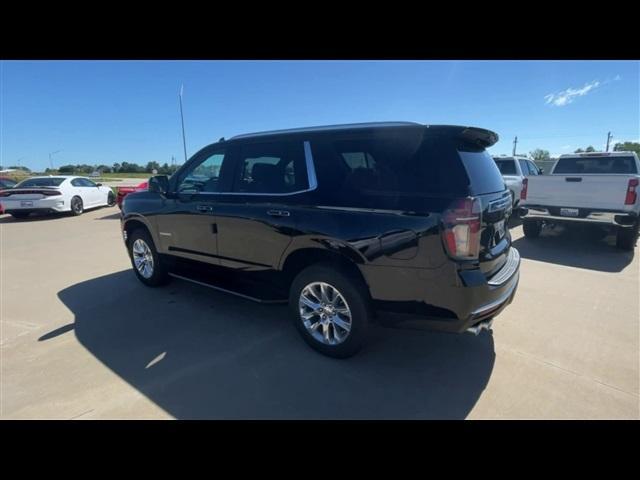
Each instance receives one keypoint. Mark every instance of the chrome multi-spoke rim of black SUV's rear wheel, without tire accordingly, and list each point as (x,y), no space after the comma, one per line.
(325,313)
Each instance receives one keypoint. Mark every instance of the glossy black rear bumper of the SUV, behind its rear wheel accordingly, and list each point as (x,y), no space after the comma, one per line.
(443,302)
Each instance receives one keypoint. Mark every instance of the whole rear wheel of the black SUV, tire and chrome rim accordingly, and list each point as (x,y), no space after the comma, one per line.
(330,310)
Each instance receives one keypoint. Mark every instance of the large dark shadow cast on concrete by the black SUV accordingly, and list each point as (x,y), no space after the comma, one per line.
(198,353)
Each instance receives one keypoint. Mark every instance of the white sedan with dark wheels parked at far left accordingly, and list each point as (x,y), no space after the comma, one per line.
(55,194)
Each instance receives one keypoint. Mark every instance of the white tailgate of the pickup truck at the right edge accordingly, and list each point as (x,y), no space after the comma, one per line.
(605,192)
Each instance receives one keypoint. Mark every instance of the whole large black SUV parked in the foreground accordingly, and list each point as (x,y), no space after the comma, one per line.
(396,220)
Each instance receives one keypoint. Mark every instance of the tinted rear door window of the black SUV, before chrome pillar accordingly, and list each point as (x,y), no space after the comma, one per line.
(277,167)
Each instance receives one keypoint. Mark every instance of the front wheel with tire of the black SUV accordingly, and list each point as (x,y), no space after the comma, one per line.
(146,262)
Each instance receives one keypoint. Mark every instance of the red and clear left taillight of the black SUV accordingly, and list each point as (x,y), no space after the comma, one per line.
(461,232)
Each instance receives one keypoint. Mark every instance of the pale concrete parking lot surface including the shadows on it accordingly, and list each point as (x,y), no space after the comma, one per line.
(82,338)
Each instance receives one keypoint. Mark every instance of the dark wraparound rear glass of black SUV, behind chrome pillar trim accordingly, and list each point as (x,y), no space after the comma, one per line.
(406,163)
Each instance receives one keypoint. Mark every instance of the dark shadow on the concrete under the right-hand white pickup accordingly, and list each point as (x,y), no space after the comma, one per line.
(575,247)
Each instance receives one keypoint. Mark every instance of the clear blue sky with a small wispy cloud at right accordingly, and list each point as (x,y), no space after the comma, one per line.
(102,112)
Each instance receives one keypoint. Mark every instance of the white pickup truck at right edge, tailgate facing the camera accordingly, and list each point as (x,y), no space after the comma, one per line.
(596,188)
